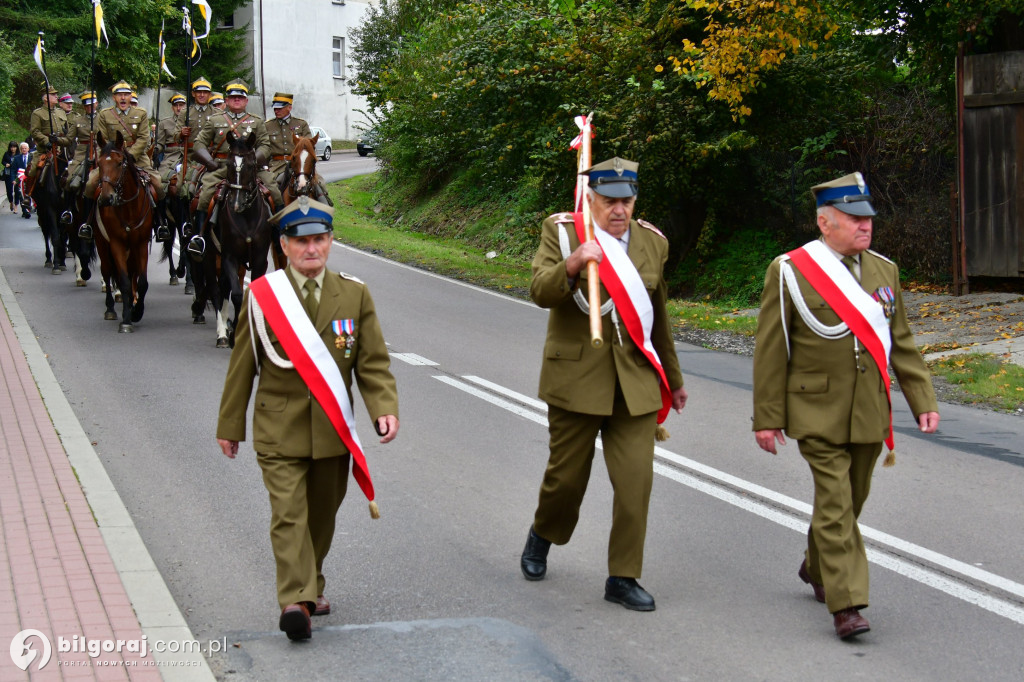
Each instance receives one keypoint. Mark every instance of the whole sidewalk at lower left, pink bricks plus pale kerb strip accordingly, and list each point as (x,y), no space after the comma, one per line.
(72,565)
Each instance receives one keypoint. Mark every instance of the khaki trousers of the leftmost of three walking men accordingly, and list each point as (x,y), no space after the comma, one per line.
(306,496)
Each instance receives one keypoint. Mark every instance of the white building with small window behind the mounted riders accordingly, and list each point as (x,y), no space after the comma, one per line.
(302,48)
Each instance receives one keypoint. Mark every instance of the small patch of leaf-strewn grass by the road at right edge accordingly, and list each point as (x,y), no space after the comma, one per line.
(985,379)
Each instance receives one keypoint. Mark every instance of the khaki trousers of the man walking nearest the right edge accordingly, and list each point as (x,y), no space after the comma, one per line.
(836,557)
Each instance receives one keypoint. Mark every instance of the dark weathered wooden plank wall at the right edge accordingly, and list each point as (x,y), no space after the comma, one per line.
(994,164)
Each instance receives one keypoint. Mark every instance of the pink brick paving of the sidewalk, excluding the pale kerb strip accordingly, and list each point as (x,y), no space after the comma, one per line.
(56,573)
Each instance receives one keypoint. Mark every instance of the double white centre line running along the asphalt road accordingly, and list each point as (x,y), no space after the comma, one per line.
(924,576)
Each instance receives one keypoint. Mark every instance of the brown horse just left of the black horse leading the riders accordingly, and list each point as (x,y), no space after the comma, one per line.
(124,222)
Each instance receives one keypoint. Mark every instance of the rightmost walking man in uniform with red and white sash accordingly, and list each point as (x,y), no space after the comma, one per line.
(832,324)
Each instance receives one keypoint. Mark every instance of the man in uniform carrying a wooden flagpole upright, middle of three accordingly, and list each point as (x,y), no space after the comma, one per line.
(616,390)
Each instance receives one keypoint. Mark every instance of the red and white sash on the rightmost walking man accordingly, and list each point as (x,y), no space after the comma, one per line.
(843,293)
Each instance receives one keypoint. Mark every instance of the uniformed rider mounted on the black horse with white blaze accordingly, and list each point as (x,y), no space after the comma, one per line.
(212,147)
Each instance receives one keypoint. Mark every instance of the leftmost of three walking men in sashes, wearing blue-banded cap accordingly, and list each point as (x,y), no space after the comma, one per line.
(304,458)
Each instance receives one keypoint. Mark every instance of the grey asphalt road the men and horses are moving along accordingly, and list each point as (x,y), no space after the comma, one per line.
(433,590)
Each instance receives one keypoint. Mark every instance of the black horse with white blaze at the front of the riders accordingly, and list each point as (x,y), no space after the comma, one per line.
(241,238)
